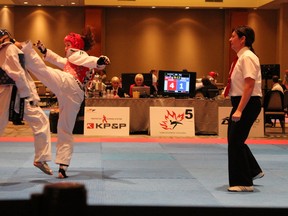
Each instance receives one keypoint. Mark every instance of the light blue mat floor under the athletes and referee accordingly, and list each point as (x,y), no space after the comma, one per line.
(149,174)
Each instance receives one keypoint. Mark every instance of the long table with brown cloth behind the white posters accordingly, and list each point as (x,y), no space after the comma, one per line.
(205,110)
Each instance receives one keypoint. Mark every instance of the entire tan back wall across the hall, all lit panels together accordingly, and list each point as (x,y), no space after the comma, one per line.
(137,40)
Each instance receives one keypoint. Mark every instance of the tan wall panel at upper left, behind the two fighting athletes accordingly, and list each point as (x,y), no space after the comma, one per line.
(49,24)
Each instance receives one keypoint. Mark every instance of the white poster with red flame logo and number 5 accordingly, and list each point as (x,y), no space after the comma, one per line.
(172,121)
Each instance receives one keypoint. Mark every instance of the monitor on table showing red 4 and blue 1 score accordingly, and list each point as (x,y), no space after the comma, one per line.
(178,84)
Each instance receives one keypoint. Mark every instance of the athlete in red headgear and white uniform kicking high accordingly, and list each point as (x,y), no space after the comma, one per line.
(67,84)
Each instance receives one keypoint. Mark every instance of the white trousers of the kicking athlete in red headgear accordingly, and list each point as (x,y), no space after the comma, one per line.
(69,96)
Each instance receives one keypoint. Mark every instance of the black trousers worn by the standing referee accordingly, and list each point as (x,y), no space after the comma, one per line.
(242,165)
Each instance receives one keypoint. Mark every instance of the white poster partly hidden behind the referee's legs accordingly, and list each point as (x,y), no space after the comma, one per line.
(257,129)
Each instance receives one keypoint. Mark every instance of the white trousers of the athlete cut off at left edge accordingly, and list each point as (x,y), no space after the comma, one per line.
(35,118)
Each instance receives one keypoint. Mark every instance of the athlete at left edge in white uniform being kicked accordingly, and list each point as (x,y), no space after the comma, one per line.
(33,114)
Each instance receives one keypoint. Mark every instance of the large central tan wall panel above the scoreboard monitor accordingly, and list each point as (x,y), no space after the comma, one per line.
(139,40)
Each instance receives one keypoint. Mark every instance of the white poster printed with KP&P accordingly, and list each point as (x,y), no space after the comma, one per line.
(107,121)
